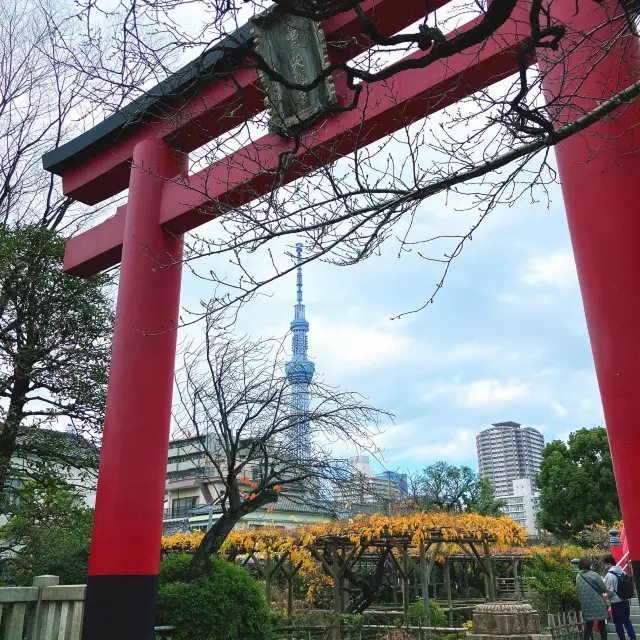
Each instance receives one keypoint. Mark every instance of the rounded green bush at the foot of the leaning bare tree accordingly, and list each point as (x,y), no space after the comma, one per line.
(225,603)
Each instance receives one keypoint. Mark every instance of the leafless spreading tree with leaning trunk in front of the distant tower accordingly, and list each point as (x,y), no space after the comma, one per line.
(235,396)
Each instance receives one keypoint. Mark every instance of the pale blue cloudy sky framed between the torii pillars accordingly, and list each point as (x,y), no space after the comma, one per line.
(505,339)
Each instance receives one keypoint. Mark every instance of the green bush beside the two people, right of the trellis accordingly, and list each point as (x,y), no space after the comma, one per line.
(554,581)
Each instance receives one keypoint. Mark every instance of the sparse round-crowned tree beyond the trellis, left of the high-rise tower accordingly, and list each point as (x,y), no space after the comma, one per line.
(446,487)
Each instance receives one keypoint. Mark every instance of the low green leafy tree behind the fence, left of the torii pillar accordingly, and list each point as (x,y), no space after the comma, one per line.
(49,533)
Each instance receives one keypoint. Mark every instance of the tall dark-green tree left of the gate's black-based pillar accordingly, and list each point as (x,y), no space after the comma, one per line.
(55,341)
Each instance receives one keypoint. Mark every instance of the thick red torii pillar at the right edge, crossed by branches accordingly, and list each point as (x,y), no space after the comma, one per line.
(599,170)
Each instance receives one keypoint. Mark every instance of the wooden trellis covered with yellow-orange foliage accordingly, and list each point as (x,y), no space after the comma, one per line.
(359,555)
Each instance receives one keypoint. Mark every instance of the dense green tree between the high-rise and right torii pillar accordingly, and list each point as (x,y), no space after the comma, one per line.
(577,485)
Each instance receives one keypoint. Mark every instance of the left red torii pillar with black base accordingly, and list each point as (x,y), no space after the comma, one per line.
(124,561)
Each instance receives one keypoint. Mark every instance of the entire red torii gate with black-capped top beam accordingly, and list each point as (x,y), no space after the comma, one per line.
(145,153)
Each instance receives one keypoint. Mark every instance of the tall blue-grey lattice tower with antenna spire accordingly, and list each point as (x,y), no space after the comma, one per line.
(300,369)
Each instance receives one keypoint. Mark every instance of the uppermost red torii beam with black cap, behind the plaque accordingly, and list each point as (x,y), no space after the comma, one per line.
(200,102)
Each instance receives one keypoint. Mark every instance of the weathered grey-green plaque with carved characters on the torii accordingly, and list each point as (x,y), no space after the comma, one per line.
(294,48)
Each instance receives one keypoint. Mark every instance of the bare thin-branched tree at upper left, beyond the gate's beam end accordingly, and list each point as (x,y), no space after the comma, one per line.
(43,104)
